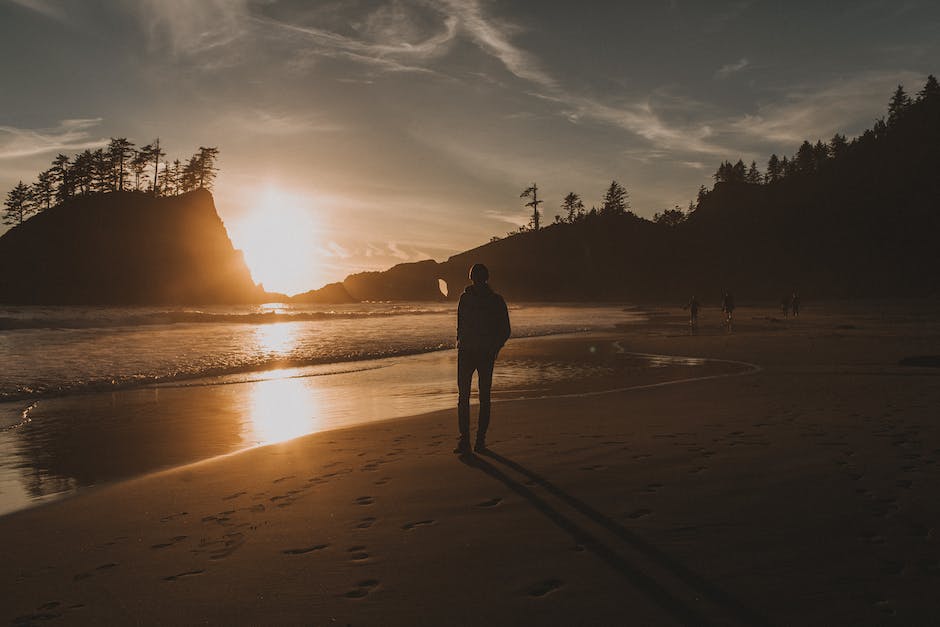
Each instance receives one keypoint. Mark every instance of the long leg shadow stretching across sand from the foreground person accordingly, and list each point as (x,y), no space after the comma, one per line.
(680,609)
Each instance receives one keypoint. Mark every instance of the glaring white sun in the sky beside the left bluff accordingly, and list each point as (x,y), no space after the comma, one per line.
(280,239)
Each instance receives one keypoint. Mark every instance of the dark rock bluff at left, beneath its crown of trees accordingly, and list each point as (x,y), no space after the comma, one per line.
(125,248)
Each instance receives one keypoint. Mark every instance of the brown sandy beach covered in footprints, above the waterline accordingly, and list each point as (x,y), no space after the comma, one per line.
(802,493)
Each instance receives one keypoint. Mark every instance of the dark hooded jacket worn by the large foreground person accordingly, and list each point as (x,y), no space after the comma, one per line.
(482,320)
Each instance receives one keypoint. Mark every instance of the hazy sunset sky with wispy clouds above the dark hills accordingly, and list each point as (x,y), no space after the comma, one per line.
(357,134)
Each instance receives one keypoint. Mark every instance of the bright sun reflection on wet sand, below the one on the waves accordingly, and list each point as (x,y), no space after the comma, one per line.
(281,409)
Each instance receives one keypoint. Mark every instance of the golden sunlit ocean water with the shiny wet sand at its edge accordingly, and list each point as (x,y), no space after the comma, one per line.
(91,395)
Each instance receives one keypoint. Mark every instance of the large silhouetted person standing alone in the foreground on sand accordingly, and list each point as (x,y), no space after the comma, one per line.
(482,329)
